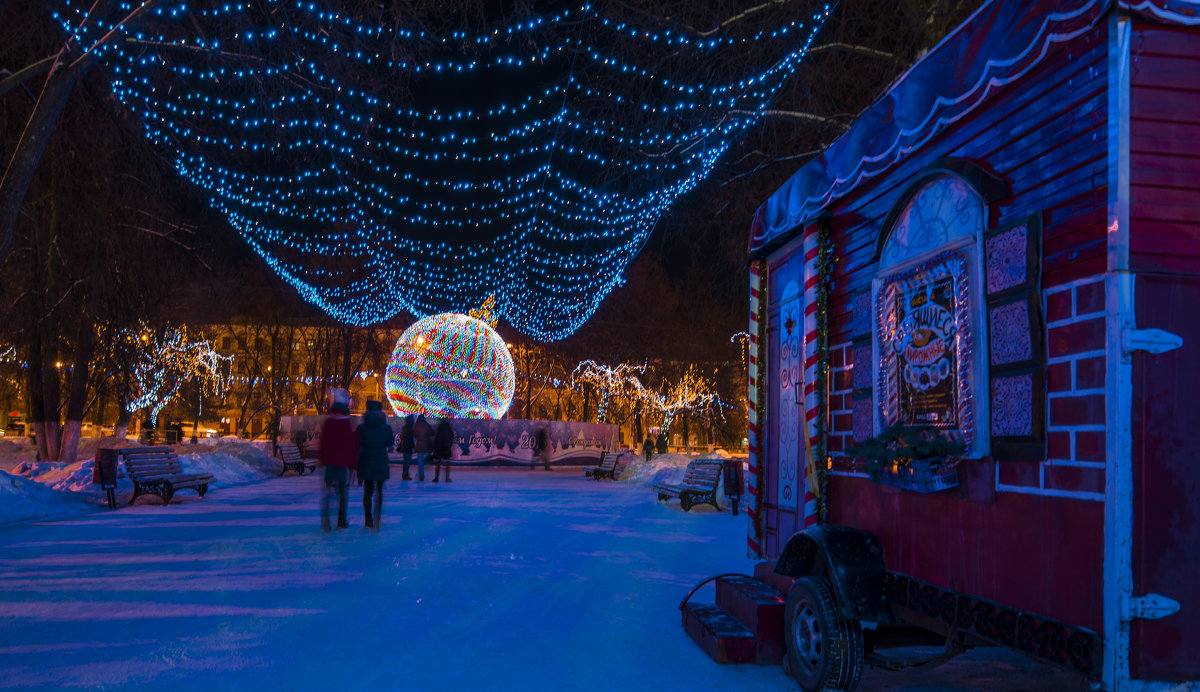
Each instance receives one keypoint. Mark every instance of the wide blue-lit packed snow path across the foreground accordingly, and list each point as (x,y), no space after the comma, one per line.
(503,580)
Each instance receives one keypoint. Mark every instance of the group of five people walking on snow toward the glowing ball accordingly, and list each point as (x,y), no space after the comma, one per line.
(365,450)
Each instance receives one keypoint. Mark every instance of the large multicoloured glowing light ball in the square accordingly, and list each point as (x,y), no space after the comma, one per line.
(454,365)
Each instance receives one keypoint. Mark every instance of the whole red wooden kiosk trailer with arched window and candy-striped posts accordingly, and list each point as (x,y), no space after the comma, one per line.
(1005,249)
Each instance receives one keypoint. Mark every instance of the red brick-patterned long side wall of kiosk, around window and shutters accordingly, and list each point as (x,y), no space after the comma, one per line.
(1029,535)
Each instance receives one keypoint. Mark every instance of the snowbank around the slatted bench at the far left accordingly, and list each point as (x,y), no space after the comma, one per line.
(33,490)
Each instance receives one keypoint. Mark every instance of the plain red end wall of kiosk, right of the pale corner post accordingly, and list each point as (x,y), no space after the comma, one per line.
(1165,171)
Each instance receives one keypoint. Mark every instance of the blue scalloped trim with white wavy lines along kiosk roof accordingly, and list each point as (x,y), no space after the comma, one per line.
(941,89)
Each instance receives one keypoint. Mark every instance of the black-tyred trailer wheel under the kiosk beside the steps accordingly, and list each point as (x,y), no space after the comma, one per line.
(825,652)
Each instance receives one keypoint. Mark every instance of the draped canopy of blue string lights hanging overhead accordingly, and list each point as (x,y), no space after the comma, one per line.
(380,169)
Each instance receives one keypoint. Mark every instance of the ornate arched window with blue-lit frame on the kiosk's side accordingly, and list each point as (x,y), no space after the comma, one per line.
(929,329)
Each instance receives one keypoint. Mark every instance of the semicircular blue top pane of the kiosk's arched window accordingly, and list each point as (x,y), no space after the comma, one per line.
(943,212)
